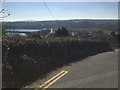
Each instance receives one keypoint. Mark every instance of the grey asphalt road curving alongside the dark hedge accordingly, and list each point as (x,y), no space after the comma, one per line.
(98,71)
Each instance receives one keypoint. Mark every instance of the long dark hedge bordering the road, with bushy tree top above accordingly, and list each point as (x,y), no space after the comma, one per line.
(25,59)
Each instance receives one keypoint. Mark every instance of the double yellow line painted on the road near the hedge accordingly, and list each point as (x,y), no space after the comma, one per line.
(52,80)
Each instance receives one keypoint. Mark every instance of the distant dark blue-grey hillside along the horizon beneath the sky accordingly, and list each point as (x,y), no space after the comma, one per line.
(76,24)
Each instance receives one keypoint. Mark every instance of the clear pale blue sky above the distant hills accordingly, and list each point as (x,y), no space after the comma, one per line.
(60,10)
